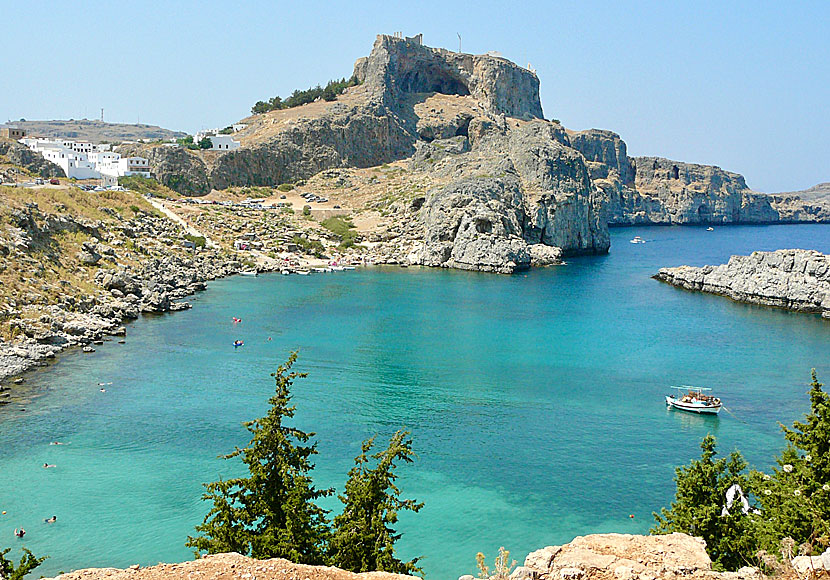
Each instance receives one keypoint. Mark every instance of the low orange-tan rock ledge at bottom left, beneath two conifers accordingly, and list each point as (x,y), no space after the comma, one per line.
(229,566)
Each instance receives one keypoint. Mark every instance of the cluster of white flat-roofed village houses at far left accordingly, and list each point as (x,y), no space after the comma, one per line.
(83,160)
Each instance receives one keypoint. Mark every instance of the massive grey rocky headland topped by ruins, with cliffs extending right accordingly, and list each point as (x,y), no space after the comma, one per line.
(493,185)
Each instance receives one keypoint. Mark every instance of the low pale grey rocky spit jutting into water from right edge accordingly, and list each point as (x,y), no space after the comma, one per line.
(797,280)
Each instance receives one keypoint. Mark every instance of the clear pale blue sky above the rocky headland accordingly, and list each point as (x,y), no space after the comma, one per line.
(741,85)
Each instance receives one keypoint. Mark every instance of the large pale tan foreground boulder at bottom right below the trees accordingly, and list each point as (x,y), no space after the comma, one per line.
(626,557)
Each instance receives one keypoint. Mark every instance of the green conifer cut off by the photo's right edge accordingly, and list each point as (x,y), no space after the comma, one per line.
(795,497)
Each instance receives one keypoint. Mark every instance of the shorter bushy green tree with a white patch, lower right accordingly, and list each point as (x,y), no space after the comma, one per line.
(699,503)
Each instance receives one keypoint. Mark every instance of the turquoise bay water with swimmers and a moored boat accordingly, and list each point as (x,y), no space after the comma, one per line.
(535,400)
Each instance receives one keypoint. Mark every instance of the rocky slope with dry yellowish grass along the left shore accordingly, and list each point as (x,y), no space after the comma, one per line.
(47,318)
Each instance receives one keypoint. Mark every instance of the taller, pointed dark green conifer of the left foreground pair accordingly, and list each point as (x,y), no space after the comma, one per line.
(271,513)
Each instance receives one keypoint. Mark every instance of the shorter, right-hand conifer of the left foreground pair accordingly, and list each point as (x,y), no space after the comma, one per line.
(363,539)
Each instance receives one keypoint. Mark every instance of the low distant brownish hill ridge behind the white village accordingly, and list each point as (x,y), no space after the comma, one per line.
(97,131)
